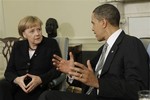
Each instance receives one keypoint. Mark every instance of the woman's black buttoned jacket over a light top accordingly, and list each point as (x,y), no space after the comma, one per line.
(40,64)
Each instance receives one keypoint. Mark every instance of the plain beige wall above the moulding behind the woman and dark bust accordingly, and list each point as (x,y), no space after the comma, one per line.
(73,16)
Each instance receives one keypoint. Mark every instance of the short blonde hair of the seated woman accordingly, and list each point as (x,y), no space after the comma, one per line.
(28,22)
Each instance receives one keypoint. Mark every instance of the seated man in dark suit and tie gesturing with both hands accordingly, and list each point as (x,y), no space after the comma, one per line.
(125,68)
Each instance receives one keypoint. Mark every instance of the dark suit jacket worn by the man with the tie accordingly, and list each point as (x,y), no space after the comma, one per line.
(125,71)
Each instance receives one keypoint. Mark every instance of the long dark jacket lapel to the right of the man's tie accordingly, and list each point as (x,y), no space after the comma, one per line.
(112,53)
